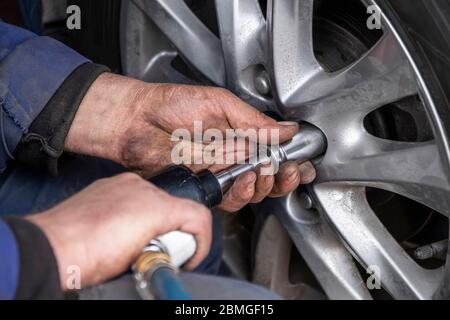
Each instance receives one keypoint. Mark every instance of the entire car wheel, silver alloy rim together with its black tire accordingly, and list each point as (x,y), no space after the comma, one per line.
(377,215)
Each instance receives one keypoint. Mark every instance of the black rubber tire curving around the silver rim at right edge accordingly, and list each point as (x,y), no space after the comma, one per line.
(428,40)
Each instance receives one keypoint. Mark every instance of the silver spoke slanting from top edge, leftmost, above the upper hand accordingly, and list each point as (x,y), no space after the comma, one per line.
(195,42)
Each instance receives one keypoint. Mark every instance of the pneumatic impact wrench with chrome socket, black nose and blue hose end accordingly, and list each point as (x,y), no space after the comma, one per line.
(172,250)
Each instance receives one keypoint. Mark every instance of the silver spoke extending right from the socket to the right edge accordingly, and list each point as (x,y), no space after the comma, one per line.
(410,169)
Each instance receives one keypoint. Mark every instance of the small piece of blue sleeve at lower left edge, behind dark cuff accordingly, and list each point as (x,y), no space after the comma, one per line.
(9,265)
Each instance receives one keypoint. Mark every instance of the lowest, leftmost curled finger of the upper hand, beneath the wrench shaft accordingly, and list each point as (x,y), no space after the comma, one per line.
(240,193)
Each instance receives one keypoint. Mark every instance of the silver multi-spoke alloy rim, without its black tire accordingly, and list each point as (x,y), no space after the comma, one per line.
(255,55)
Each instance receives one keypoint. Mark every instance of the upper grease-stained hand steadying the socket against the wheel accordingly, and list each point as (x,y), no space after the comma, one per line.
(131,122)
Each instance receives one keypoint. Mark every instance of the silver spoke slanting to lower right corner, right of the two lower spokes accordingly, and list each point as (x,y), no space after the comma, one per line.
(347,209)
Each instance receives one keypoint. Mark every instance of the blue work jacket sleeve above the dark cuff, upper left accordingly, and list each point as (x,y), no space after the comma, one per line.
(32,68)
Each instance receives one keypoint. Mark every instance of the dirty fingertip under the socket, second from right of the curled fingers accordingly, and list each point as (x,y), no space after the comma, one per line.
(287,179)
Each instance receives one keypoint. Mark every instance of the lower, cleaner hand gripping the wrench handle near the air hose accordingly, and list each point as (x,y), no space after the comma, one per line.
(103,228)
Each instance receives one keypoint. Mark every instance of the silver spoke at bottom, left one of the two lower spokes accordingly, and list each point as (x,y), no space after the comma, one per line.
(318,243)
